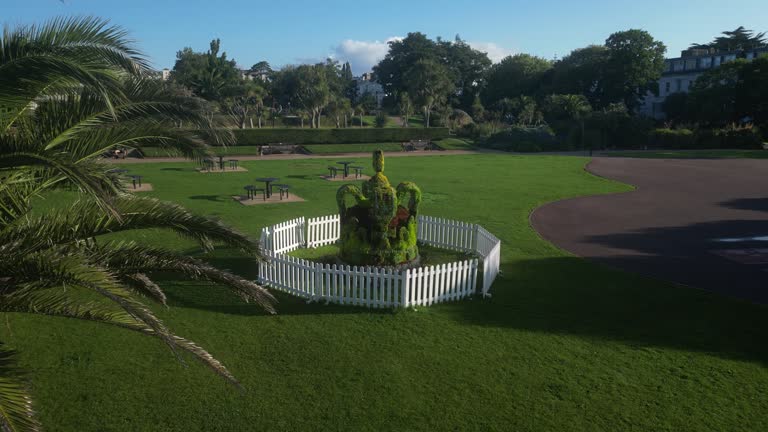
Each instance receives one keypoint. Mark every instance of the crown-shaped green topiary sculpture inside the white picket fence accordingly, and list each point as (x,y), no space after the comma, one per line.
(379,227)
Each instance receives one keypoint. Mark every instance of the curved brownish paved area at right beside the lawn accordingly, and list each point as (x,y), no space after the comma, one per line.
(702,223)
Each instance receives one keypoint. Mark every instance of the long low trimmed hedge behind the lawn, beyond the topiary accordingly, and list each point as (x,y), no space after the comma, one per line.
(336,136)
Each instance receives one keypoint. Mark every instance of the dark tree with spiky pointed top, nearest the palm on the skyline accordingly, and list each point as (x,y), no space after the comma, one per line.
(206,74)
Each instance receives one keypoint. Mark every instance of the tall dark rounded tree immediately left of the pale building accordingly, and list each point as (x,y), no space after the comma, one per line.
(634,66)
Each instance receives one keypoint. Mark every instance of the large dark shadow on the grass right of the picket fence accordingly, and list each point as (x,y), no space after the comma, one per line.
(572,296)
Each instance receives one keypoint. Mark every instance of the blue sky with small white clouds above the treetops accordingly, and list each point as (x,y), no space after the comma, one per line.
(295,31)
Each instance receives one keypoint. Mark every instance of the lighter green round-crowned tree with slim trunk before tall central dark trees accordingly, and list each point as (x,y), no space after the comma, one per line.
(429,84)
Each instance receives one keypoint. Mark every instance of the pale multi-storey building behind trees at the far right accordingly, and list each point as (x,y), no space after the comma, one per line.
(681,72)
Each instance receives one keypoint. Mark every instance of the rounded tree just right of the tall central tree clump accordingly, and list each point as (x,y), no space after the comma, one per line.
(515,76)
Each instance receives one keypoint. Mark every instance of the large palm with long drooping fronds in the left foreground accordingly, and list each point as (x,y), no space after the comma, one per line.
(71,90)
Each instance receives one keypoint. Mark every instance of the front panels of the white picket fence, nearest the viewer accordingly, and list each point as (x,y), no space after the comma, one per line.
(369,286)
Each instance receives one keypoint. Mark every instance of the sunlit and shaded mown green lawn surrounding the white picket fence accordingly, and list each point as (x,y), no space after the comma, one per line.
(563,344)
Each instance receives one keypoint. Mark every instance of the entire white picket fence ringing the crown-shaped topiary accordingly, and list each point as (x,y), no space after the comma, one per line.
(373,286)
